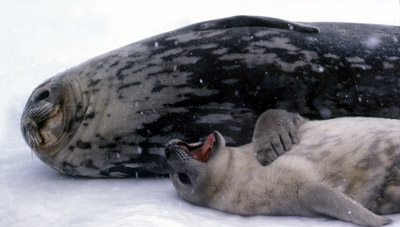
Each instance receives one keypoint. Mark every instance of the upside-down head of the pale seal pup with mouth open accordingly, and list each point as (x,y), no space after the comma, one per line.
(190,170)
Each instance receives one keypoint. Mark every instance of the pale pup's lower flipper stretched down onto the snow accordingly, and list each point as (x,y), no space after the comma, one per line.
(320,200)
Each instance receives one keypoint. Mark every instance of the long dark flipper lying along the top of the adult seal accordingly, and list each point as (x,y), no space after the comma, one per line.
(252,21)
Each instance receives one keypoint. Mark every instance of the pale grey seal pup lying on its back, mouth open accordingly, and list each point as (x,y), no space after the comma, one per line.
(344,168)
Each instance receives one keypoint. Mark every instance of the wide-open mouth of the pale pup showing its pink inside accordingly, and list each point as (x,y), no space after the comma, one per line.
(201,151)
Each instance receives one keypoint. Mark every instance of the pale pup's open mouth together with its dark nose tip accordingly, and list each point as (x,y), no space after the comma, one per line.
(202,151)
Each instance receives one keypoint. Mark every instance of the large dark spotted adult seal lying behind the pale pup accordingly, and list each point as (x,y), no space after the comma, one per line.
(112,115)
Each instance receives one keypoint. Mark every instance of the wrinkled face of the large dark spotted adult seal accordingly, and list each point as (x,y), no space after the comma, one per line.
(52,115)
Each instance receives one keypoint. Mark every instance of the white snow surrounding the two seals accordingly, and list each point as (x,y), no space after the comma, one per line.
(41,38)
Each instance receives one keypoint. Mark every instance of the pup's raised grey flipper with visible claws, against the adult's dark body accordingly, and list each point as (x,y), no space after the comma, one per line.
(275,133)
